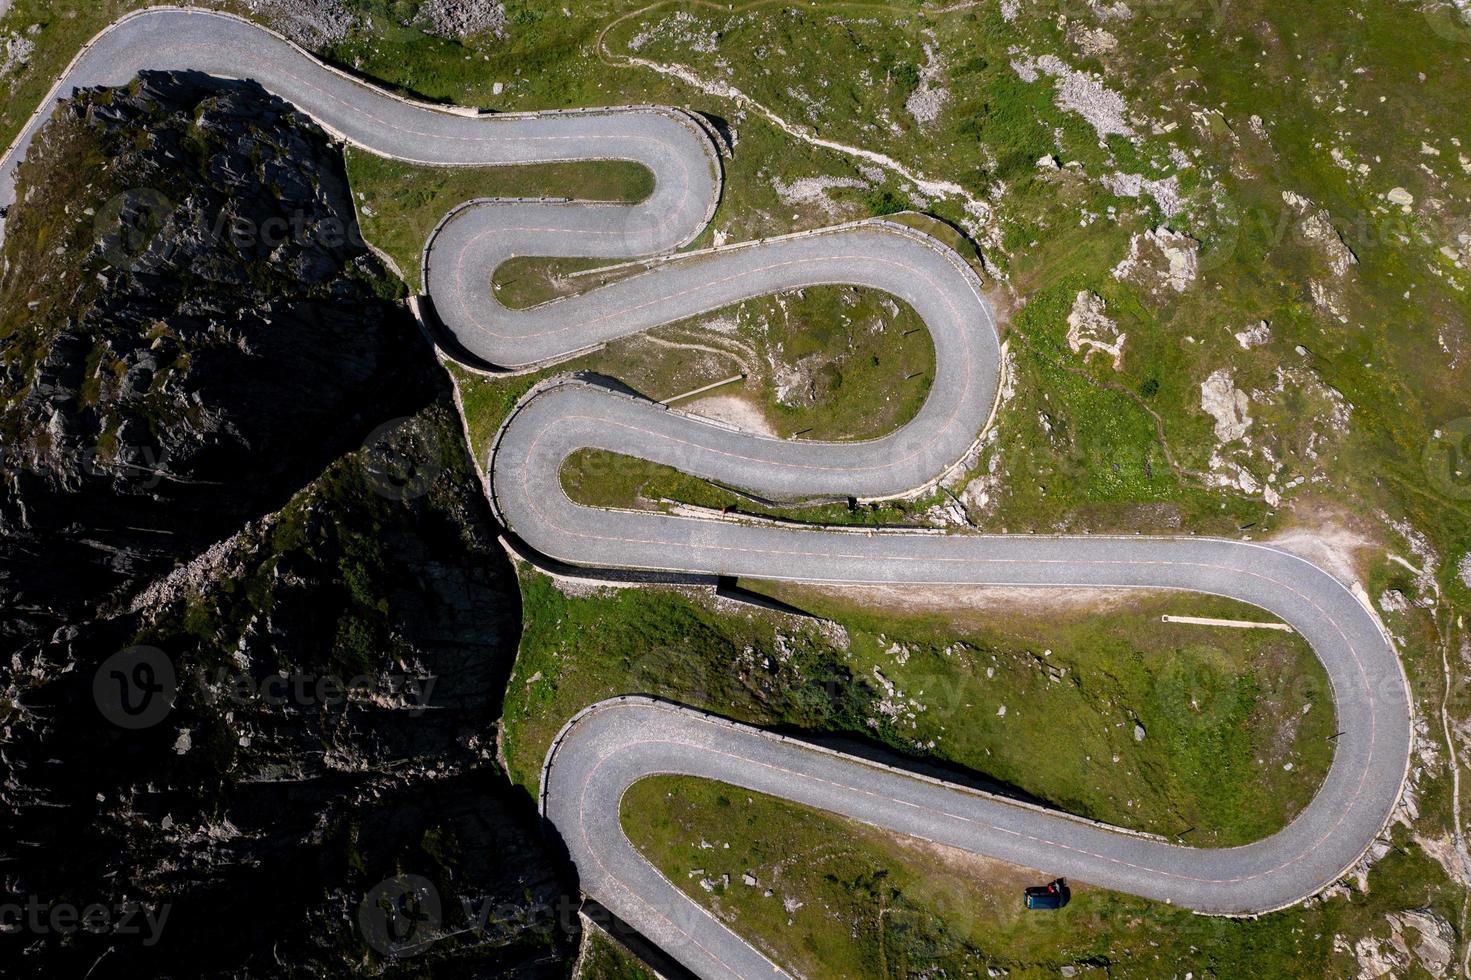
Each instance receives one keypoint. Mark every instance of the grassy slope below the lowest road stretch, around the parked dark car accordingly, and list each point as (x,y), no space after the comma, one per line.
(883,906)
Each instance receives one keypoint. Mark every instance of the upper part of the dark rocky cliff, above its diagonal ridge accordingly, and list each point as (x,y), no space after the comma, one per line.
(190,333)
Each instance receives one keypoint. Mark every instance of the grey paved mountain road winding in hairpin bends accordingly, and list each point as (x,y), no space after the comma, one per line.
(616,744)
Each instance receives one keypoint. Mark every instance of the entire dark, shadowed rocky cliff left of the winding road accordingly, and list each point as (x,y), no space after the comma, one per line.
(255,619)
